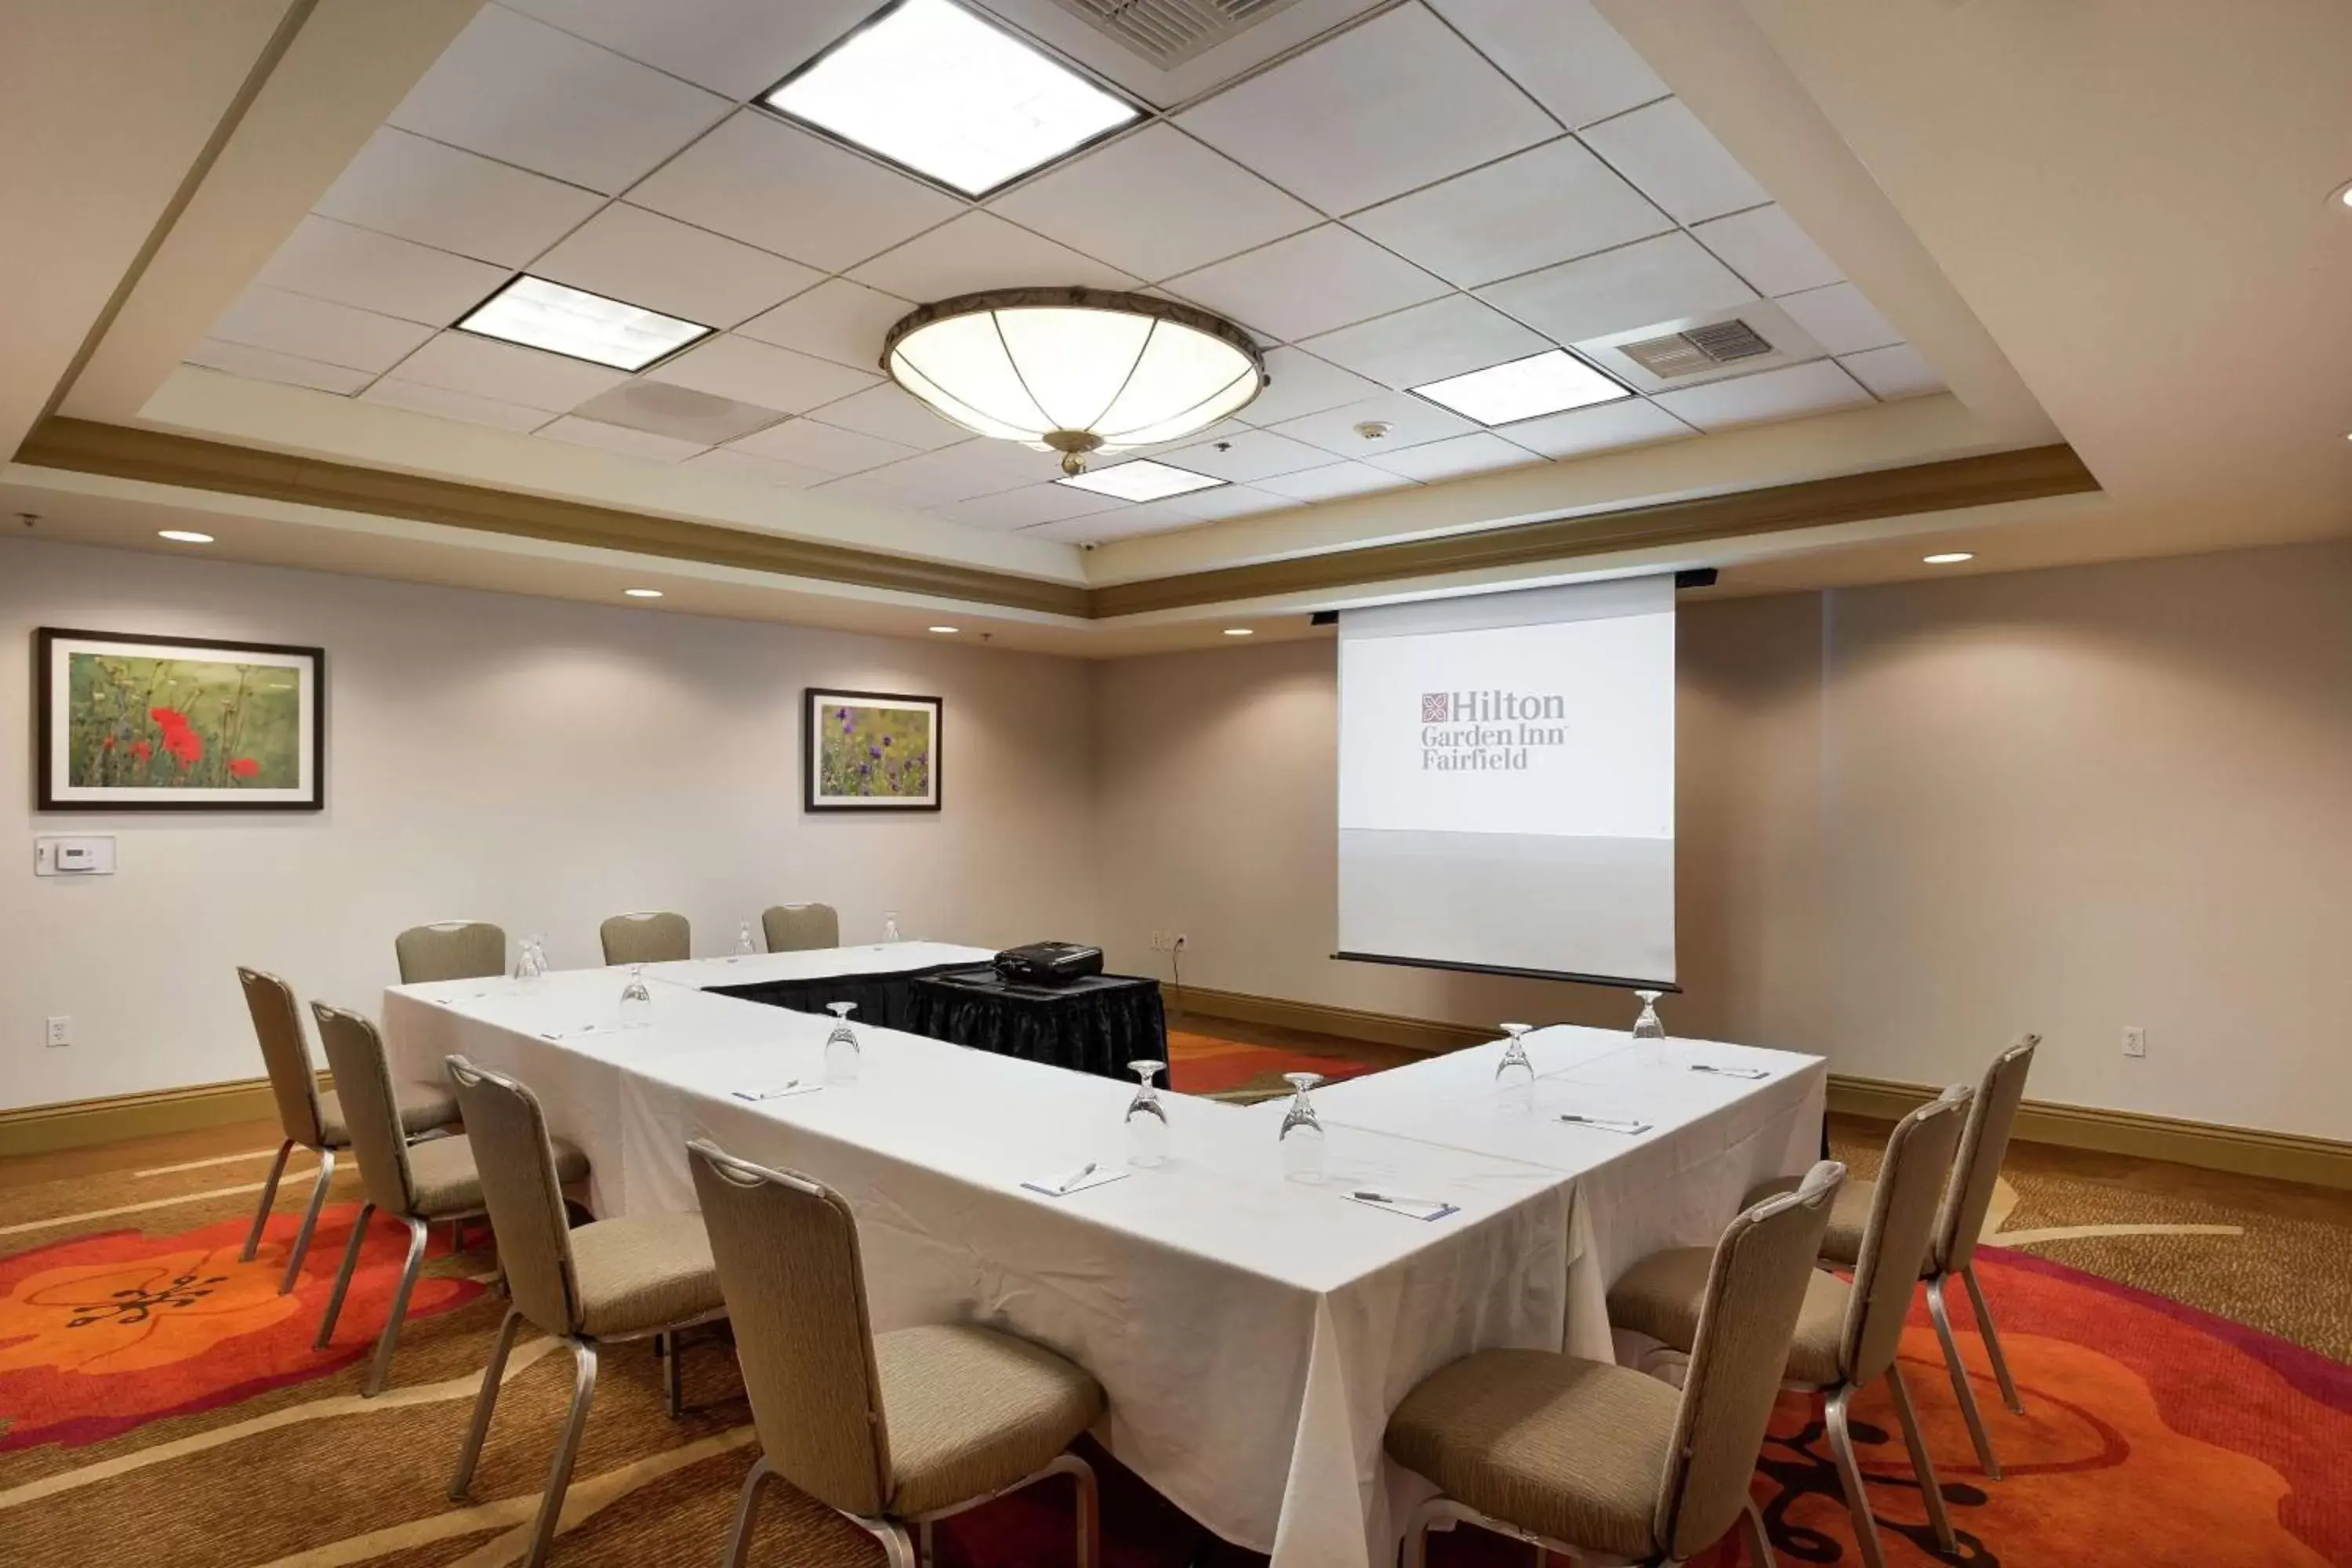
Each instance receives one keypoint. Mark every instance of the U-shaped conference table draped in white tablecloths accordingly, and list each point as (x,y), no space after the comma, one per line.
(1252,1329)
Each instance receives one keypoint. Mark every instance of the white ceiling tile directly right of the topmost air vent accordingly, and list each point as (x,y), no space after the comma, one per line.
(1370,114)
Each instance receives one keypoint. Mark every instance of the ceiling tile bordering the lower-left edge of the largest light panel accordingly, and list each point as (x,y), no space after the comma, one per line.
(787,192)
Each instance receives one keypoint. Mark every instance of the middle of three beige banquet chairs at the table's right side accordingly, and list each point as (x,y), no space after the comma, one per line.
(1847,1334)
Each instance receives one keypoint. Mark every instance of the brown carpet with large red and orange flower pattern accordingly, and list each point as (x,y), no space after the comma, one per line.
(161,1405)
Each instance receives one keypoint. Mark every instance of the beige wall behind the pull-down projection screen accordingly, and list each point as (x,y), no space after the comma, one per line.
(1913,822)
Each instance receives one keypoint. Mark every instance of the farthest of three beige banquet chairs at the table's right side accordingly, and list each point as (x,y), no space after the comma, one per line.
(1984,1146)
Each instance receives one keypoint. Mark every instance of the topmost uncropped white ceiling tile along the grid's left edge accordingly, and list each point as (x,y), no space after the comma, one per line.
(544,100)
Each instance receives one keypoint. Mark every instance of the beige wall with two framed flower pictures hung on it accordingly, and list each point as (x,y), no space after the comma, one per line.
(519,760)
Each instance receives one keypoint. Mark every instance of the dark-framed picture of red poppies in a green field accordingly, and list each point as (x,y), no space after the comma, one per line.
(178,725)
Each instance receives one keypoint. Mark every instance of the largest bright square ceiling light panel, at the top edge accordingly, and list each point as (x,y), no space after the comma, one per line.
(951,98)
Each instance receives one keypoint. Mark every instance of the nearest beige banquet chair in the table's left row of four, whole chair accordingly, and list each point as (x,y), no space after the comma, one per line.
(893,1430)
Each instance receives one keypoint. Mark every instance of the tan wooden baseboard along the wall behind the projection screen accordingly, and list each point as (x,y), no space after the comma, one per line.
(2243,1151)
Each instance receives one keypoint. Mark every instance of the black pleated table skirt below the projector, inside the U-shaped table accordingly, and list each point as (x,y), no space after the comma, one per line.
(1090,1026)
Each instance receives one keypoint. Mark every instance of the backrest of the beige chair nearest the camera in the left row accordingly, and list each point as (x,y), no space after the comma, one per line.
(796,1294)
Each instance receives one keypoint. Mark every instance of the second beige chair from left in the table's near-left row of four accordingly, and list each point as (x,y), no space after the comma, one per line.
(432,1184)
